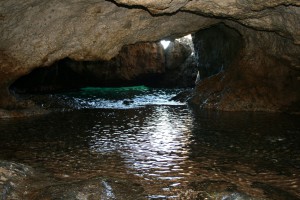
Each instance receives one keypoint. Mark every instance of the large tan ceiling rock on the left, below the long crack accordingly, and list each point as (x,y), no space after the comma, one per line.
(37,33)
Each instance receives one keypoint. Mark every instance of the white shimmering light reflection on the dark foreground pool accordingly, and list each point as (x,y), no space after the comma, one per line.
(154,147)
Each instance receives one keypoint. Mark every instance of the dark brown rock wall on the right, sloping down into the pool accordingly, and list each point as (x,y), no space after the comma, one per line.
(262,77)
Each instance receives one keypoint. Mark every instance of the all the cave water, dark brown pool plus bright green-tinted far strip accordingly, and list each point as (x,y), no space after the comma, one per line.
(168,149)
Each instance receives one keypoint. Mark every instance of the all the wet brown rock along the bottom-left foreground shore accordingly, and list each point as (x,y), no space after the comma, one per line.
(19,181)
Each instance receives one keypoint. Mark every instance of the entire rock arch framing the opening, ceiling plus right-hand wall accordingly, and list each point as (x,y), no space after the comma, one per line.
(264,75)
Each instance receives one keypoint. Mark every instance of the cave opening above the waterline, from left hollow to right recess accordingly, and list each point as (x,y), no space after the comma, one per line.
(169,63)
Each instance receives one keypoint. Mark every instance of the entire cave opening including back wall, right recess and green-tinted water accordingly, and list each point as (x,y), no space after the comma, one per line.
(177,63)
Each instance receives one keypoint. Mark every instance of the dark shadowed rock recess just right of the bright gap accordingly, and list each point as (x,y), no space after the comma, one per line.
(215,49)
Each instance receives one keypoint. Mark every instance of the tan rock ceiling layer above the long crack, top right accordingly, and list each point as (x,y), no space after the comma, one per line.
(282,16)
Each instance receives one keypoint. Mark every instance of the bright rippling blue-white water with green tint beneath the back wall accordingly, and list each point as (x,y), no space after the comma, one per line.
(121,98)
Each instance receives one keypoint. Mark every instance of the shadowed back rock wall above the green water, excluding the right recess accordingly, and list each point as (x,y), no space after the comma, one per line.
(138,64)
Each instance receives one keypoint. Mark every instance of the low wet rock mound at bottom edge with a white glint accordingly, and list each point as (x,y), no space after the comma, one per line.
(92,189)
